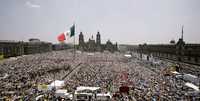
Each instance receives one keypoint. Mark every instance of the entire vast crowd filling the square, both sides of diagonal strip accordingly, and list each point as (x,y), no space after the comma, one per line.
(109,71)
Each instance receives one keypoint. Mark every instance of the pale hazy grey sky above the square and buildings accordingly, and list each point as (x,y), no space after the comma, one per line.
(122,21)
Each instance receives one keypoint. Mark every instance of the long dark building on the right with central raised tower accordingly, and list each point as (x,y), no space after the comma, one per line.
(181,51)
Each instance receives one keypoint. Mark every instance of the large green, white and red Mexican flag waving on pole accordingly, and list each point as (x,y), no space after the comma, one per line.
(67,34)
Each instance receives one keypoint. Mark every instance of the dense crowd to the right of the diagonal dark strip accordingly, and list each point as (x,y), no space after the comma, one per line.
(148,79)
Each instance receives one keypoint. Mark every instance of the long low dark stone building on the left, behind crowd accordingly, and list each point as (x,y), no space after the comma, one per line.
(10,48)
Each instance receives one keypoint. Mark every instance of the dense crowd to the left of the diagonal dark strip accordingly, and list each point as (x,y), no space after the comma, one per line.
(20,74)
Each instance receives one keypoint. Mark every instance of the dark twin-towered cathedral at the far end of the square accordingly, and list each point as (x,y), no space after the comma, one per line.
(95,45)
